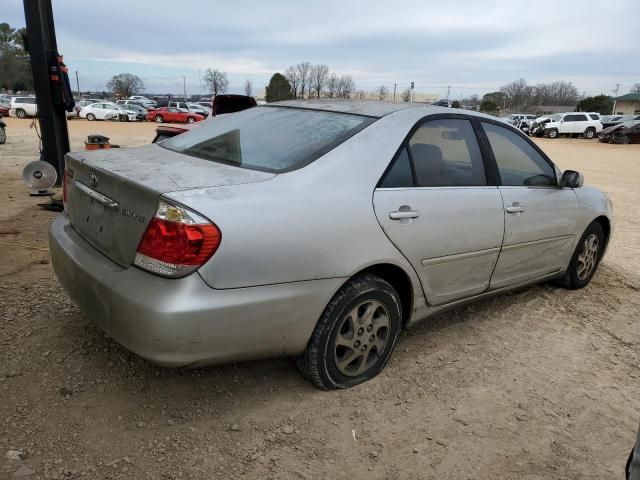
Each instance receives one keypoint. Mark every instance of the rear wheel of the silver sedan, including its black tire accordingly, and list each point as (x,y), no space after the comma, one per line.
(331,361)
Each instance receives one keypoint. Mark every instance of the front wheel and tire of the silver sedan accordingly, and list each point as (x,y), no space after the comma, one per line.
(587,255)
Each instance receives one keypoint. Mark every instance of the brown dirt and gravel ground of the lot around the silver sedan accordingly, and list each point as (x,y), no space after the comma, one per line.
(539,384)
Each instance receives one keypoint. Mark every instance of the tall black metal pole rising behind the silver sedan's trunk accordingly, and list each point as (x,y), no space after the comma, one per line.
(42,47)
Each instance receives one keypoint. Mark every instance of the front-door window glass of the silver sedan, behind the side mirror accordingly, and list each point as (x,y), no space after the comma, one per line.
(518,162)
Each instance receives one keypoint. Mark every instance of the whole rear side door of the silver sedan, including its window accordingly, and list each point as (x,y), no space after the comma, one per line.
(440,209)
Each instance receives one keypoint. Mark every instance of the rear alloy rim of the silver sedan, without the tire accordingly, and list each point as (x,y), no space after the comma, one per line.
(361,338)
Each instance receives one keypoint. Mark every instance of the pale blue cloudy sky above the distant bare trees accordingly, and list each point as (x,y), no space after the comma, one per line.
(473,46)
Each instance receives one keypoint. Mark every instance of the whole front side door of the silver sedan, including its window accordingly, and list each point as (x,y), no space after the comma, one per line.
(540,217)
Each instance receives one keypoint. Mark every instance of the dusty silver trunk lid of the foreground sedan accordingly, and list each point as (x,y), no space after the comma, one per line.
(112,195)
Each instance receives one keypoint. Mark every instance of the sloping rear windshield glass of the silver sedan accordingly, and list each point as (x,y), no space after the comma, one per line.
(271,139)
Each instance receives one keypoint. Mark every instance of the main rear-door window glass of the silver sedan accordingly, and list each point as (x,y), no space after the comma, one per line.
(445,152)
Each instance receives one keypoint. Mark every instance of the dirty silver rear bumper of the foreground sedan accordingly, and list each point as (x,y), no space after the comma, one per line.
(184,322)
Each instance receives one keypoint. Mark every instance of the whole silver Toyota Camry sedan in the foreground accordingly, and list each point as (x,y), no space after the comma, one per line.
(317,230)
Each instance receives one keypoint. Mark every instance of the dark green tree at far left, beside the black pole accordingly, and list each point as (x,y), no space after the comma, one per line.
(14,60)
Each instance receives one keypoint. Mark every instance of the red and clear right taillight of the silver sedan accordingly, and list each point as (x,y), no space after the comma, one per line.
(177,241)
